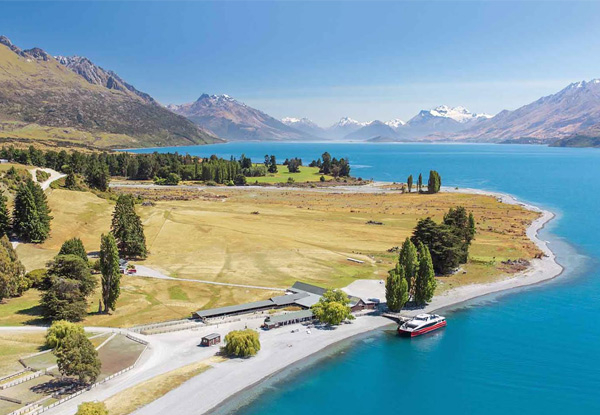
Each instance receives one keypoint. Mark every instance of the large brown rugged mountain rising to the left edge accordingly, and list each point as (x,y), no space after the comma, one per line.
(71,99)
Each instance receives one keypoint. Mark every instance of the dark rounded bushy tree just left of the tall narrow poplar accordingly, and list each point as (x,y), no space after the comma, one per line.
(64,300)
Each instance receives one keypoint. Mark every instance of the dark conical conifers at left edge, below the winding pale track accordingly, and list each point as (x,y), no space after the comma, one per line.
(30,220)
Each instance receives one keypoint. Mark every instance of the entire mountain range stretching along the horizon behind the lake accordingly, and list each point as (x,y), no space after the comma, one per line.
(71,99)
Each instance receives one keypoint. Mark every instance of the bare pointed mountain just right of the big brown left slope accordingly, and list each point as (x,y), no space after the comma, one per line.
(228,118)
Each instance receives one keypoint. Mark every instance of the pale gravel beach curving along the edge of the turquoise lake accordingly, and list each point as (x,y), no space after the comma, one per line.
(229,380)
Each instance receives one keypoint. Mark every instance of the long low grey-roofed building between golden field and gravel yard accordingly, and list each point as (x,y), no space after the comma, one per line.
(300,295)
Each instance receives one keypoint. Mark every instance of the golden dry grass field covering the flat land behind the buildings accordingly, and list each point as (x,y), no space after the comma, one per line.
(266,237)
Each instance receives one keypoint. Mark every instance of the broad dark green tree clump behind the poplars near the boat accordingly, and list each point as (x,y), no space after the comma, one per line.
(449,241)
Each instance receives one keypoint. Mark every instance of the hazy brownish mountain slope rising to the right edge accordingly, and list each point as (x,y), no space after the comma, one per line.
(573,110)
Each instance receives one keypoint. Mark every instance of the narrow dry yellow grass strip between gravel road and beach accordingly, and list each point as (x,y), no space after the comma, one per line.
(133,398)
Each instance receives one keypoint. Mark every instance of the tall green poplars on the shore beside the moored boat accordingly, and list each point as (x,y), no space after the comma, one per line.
(413,277)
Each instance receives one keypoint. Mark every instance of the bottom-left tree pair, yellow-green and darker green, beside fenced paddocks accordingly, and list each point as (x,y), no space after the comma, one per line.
(75,353)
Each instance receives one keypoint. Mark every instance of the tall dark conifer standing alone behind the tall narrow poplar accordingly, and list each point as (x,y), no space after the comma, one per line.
(127,229)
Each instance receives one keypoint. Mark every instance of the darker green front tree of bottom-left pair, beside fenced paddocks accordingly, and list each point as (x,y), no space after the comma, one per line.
(77,357)
